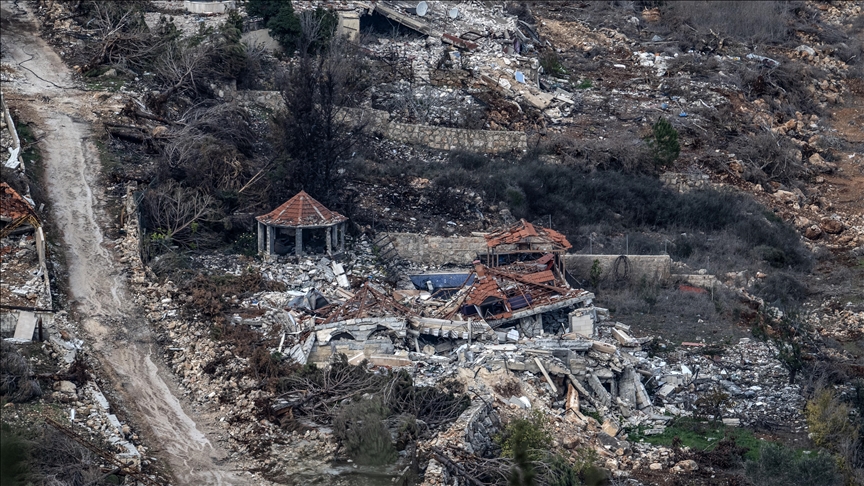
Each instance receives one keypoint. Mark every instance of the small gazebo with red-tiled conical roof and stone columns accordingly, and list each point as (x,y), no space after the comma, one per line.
(281,230)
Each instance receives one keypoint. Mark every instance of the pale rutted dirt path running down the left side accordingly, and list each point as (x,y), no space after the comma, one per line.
(120,336)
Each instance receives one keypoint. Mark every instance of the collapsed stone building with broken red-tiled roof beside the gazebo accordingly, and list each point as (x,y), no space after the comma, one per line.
(518,313)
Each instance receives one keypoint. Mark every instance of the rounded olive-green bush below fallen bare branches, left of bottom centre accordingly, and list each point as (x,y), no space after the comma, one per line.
(361,429)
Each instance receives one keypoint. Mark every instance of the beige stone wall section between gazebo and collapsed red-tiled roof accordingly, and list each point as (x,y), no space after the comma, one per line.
(438,250)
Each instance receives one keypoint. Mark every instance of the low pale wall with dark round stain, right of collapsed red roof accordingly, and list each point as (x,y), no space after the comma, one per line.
(655,268)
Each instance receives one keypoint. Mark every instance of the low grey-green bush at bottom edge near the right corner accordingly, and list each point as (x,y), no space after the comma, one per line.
(780,466)
